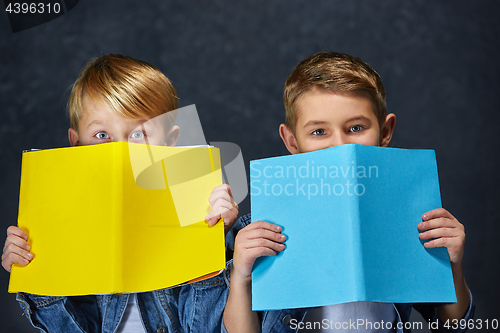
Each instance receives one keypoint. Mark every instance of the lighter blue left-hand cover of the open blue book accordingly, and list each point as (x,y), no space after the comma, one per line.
(319,247)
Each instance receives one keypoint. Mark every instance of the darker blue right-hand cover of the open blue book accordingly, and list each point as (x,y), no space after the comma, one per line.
(397,267)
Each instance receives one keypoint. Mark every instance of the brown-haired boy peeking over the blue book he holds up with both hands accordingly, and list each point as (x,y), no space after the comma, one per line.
(332,99)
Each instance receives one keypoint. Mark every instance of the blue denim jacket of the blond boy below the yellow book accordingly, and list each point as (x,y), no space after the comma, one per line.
(195,307)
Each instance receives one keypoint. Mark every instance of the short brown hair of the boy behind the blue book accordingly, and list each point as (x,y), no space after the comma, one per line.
(333,71)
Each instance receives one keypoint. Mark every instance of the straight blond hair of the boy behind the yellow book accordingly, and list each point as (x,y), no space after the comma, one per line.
(133,88)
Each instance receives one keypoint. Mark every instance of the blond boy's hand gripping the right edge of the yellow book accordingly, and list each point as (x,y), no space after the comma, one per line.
(223,206)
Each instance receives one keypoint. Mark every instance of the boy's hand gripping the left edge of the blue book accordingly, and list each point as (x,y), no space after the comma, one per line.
(255,240)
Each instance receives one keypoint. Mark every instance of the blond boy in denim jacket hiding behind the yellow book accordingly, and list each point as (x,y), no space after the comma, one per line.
(113,97)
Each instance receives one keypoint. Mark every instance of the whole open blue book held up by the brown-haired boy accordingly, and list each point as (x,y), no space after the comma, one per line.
(350,214)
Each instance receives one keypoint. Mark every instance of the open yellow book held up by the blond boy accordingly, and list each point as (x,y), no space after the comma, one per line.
(117,217)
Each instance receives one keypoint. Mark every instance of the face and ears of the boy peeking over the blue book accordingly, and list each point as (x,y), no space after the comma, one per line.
(326,119)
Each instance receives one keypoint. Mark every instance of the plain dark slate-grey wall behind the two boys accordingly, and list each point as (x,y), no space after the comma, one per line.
(438,61)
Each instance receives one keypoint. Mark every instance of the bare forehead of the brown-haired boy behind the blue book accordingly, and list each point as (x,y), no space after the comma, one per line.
(324,106)
